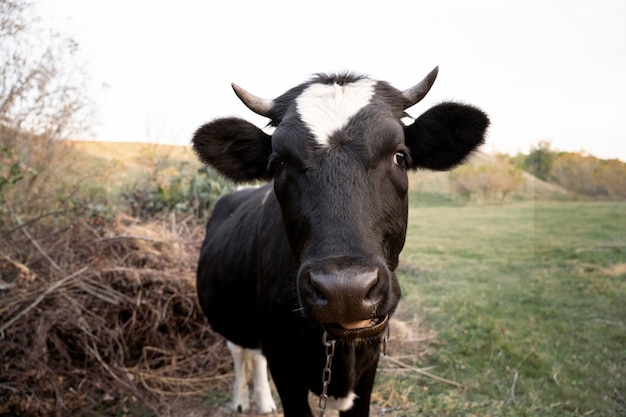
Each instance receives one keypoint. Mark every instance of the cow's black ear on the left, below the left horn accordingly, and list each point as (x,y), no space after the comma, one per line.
(235,148)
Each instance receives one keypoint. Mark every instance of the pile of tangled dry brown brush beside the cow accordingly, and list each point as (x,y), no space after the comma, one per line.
(103,316)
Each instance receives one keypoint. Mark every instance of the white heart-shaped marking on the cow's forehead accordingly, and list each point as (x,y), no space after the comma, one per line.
(327,108)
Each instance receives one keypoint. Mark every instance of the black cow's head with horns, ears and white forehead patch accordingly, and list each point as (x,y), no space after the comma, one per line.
(338,158)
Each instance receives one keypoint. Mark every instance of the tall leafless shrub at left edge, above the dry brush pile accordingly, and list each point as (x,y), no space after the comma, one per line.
(42,102)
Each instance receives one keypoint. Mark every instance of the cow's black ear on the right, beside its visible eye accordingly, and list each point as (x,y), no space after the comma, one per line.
(445,135)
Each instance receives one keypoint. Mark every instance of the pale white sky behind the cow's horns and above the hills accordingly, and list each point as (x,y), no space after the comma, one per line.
(551,69)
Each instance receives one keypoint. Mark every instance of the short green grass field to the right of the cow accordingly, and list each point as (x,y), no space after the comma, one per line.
(528,302)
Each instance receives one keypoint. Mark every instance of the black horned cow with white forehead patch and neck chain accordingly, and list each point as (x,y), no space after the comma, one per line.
(298,274)
